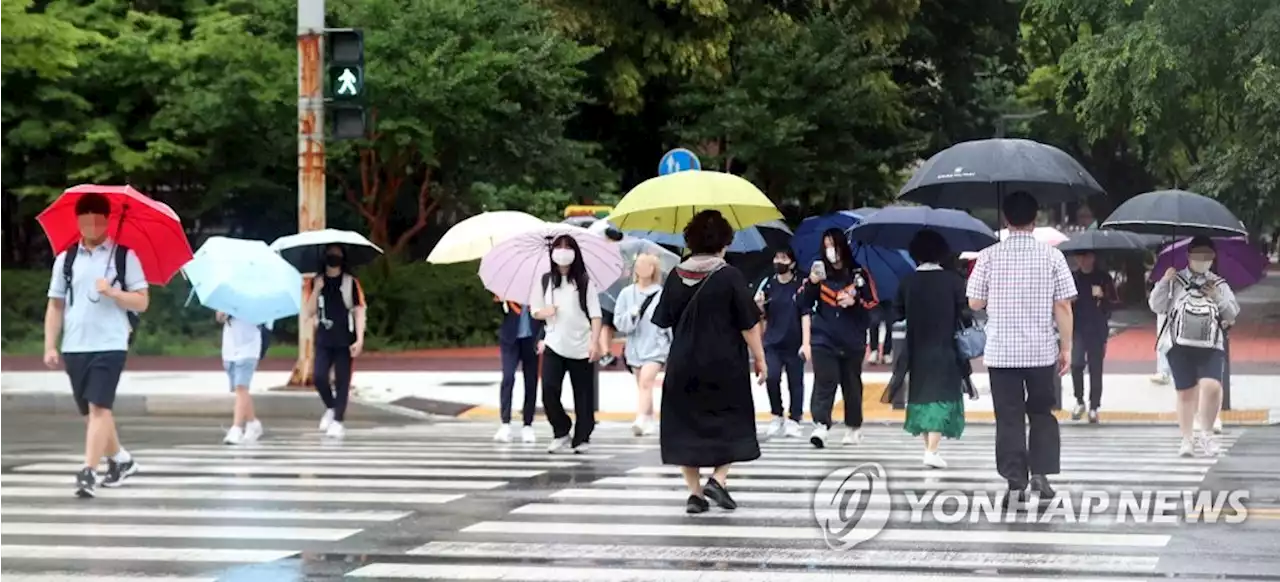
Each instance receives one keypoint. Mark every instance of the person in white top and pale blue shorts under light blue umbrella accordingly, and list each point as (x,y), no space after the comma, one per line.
(243,347)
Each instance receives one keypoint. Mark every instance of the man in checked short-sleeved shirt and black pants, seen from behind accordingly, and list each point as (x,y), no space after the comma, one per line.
(1026,288)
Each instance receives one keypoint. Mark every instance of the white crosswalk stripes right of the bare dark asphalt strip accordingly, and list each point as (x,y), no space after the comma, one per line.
(630,525)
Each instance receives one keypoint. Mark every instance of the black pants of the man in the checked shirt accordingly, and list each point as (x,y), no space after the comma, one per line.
(1022,395)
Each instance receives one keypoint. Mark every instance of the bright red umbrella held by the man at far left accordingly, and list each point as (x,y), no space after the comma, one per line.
(152,230)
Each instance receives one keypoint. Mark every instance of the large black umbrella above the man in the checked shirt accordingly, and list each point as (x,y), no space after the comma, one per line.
(977,175)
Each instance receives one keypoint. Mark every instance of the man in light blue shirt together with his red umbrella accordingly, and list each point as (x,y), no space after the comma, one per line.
(111,242)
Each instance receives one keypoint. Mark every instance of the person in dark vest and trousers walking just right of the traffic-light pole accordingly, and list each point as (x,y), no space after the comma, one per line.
(337,304)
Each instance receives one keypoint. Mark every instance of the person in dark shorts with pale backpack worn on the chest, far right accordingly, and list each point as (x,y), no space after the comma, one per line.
(1200,308)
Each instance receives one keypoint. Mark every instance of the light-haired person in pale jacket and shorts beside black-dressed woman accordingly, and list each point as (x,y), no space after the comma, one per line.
(647,343)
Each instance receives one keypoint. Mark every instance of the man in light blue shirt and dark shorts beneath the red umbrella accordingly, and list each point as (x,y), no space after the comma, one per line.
(95,287)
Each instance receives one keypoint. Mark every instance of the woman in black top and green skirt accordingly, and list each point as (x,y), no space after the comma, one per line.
(932,301)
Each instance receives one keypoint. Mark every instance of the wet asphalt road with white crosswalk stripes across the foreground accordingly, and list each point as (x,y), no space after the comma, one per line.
(444,502)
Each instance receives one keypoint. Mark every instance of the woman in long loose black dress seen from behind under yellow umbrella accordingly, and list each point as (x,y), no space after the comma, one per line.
(708,416)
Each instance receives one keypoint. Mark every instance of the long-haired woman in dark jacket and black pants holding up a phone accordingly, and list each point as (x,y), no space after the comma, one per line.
(836,300)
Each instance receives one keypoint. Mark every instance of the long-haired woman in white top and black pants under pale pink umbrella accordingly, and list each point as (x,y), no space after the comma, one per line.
(570,305)
